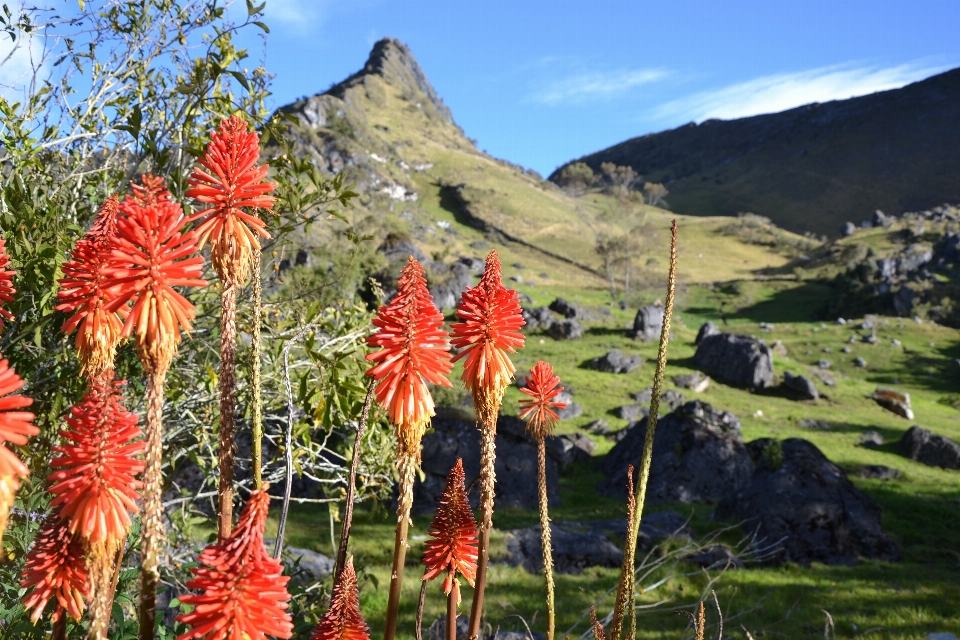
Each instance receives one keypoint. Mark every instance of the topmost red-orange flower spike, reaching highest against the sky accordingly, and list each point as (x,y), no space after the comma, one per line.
(228,181)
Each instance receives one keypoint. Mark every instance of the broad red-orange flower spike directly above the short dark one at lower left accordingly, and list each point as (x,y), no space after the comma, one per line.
(96,485)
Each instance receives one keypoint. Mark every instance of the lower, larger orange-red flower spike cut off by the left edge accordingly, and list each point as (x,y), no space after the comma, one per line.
(15,427)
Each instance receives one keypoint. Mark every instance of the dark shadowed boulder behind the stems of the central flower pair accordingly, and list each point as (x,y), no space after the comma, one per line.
(455,435)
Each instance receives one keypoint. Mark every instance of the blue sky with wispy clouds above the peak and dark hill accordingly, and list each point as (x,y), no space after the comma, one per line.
(540,83)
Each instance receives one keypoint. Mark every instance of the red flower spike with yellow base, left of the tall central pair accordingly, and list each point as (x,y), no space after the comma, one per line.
(414,351)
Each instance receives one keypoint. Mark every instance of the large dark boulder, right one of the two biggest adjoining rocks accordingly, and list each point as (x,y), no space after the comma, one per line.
(802,502)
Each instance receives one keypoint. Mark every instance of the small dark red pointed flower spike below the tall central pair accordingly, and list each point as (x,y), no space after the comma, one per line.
(453,547)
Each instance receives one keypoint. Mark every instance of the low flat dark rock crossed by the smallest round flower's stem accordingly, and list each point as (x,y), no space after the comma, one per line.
(573,551)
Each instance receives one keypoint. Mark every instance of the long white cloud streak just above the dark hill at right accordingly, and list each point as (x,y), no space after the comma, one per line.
(782,91)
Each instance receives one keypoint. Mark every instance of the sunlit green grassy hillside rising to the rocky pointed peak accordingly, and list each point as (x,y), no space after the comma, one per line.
(396,140)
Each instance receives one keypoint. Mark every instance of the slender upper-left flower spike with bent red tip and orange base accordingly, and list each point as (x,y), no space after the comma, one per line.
(83,294)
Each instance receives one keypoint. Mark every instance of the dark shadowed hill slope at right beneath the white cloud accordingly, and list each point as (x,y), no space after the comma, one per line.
(814,167)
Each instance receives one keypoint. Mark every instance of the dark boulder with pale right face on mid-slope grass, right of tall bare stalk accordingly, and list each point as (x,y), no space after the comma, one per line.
(740,361)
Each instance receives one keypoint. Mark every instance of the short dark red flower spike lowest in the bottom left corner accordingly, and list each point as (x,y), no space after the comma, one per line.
(55,571)
